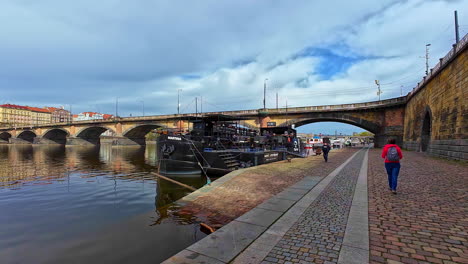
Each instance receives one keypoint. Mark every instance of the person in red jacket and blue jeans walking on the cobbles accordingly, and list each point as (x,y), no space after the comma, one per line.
(392,155)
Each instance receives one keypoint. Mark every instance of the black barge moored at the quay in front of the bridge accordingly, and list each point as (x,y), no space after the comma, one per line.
(219,144)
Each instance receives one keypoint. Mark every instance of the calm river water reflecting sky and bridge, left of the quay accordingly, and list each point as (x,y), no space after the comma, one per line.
(89,205)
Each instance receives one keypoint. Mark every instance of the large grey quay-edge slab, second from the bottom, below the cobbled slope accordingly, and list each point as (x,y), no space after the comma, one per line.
(227,242)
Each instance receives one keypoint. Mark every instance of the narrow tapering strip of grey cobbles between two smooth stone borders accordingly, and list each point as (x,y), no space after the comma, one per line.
(317,235)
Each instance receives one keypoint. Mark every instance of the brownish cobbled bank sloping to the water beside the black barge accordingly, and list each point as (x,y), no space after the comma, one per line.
(249,189)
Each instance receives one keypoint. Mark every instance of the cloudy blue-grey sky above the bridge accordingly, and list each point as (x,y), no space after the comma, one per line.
(87,53)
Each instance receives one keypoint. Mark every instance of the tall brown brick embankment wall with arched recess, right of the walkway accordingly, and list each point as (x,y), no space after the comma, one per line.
(445,98)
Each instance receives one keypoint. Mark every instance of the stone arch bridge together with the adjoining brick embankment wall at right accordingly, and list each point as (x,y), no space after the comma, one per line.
(432,118)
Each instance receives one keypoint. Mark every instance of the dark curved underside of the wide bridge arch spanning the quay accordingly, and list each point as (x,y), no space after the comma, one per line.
(347,119)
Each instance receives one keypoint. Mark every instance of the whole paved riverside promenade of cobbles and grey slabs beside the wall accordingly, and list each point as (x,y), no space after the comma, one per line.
(350,216)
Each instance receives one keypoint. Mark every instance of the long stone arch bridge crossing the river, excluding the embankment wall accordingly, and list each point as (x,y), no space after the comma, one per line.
(383,118)
